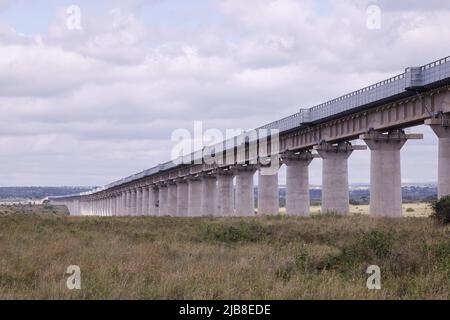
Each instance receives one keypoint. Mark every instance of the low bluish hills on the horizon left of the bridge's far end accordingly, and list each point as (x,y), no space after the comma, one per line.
(38,192)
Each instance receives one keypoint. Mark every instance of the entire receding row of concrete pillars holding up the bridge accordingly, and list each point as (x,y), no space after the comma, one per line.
(215,194)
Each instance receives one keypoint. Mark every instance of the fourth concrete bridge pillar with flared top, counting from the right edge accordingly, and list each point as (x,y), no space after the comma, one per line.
(297,182)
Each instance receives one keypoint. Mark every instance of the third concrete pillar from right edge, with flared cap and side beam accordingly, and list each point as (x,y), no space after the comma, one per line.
(335,190)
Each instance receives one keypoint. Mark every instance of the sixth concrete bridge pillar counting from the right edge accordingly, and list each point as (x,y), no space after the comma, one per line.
(245,199)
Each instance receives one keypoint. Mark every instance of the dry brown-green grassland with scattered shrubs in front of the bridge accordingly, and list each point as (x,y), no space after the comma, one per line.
(278,257)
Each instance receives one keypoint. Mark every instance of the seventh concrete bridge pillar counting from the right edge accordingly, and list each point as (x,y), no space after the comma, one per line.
(225,193)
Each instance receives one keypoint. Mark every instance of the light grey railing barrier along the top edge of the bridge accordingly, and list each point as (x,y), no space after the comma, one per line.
(409,83)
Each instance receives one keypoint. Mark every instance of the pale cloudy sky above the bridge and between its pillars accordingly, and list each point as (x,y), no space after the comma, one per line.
(89,106)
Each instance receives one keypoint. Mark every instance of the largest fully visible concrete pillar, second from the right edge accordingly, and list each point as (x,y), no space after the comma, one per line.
(385,171)
